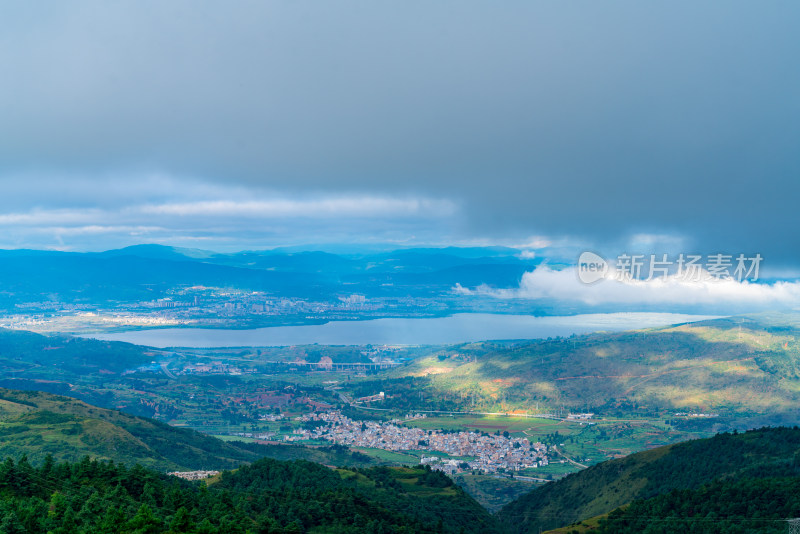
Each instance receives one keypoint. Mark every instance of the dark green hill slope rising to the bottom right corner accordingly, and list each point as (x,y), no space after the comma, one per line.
(764,453)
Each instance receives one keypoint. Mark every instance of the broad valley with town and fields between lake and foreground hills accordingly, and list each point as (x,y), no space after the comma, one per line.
(570,402)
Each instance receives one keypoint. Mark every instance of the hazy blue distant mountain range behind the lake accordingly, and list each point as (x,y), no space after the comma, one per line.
(147,271)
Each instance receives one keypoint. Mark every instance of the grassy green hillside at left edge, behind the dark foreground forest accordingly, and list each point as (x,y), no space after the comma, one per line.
(38,424)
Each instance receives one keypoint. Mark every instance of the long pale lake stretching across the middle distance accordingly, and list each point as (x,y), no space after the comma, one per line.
(459,328)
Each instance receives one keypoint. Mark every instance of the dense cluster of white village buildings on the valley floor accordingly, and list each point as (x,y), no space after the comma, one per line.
(479,451)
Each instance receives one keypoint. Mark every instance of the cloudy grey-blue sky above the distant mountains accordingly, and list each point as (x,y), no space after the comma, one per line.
(613,126)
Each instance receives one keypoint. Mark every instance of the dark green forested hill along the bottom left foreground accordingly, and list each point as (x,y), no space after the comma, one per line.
(268,496)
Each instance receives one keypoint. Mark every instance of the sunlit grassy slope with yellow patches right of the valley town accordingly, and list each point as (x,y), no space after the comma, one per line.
(747,367)
